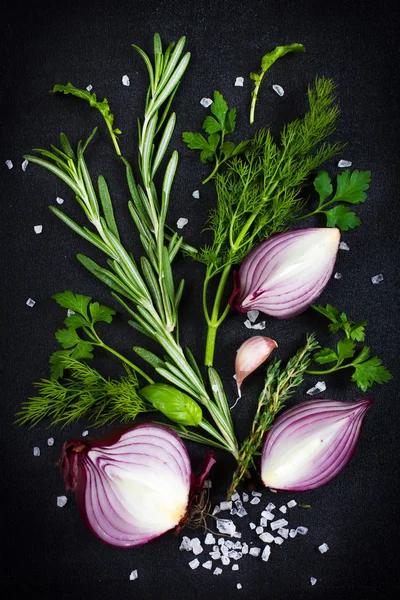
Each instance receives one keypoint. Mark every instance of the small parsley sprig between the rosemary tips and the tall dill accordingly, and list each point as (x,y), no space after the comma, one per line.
(215,148)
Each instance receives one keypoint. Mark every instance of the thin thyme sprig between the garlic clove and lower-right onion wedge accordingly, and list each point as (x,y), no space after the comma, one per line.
(280,383)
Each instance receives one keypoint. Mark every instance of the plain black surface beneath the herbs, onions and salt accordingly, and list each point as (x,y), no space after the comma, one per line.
(47,552)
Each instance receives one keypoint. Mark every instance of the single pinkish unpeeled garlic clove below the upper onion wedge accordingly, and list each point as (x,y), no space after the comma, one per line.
(251,354)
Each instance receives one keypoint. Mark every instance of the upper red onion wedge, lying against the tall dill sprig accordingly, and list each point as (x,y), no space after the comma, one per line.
(282,276)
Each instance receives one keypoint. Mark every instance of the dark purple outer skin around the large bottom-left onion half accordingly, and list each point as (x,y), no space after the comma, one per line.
(75,476)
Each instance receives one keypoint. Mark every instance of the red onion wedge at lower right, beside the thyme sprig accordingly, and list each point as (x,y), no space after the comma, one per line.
(311,443)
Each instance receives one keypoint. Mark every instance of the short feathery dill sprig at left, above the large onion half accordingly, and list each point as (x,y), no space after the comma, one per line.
(84,394)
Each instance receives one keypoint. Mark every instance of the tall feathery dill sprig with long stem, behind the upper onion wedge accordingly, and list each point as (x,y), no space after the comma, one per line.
(261,193)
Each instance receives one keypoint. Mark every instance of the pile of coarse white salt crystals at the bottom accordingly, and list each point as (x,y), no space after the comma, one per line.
(220,554)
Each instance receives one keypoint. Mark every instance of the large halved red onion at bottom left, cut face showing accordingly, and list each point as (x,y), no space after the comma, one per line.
(130,487)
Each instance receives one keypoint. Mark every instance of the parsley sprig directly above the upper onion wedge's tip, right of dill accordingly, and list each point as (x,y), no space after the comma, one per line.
(350,188)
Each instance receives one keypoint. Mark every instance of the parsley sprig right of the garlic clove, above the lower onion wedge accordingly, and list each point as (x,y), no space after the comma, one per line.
(367,370)
